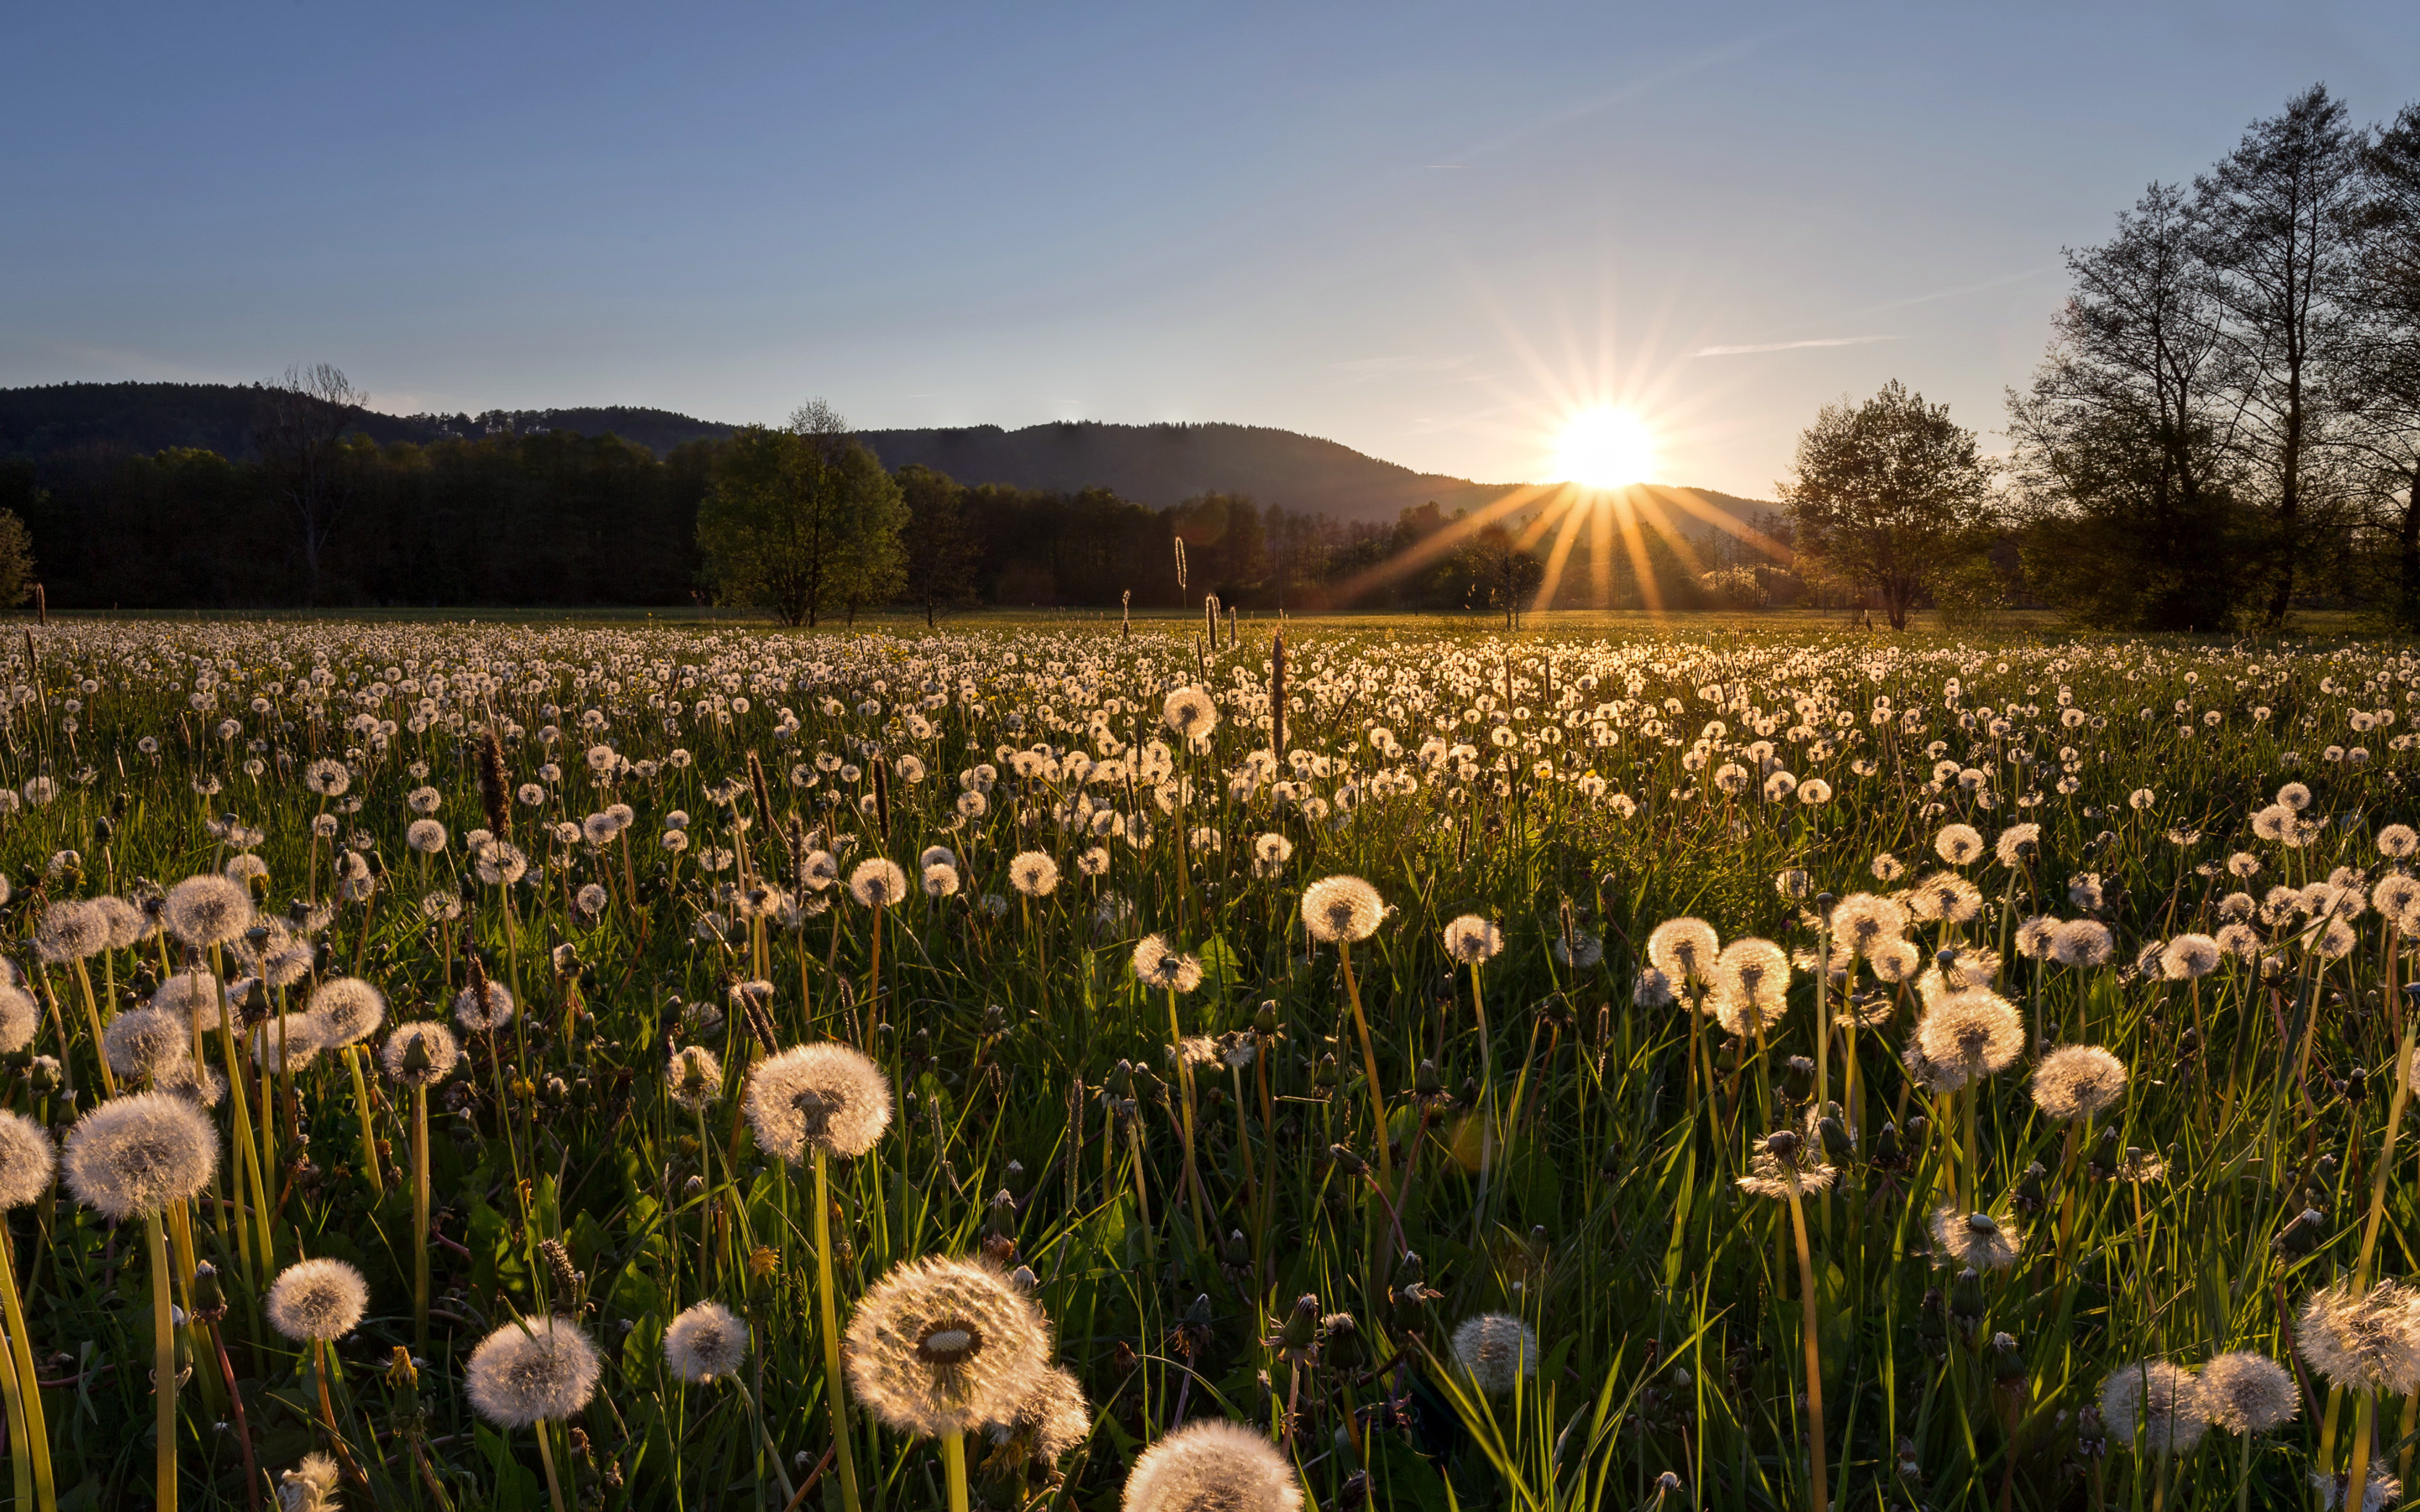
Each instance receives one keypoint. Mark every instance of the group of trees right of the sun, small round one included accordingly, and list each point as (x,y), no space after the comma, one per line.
(2225,425)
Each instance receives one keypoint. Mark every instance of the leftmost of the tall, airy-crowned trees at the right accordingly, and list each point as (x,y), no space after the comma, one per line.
(2124,480)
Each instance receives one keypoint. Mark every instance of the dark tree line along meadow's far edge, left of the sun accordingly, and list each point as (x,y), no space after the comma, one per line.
(797,519)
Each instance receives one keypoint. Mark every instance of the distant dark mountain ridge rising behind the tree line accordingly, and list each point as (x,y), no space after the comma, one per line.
(1153,466)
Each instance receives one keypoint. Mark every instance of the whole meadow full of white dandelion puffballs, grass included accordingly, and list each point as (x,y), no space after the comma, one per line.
(691,1068)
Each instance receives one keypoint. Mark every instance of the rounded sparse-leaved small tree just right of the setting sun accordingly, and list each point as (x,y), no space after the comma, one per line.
(1891,495)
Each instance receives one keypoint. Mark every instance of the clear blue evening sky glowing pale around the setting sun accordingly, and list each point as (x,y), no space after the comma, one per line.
(1427,231)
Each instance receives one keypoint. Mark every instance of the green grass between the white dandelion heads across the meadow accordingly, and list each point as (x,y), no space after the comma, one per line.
(1589,1187)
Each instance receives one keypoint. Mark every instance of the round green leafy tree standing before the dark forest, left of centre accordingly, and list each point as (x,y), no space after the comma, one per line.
(802,519)
